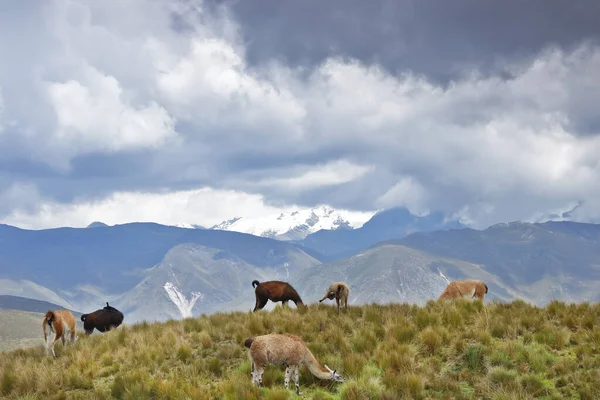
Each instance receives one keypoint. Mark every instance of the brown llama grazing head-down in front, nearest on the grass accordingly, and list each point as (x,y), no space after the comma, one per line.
(288,350)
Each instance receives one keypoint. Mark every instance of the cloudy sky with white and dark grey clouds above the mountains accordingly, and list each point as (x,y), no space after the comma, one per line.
(196,112)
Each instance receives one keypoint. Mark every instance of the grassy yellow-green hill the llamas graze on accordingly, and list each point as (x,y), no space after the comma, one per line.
(439,351)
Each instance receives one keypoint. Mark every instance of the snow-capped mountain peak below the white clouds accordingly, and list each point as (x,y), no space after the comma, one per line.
(296,224)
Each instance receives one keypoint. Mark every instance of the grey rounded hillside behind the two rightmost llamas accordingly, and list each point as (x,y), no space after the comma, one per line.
(394,273)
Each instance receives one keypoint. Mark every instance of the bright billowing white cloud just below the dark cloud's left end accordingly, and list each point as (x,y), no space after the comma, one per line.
(211,86)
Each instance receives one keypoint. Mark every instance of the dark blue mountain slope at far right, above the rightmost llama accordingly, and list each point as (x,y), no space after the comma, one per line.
(543,261)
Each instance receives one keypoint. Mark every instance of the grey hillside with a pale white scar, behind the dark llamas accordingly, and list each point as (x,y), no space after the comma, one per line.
(193,279)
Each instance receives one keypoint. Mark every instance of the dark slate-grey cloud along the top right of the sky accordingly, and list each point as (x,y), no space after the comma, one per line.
(436,38)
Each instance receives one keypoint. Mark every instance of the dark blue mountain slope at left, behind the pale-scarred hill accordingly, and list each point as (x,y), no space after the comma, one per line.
(87,267)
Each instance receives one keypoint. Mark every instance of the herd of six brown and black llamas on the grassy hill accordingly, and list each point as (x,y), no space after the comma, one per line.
(278,349)
